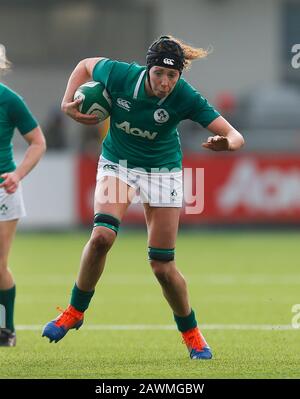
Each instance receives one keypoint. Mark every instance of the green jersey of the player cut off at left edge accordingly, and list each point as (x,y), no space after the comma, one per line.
(14,113)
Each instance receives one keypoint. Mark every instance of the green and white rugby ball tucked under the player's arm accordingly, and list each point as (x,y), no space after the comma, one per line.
(95,100)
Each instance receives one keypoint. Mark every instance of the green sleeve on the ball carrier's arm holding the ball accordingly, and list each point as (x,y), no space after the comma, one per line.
(110,72)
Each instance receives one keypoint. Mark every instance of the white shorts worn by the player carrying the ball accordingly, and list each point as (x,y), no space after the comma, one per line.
(157,189)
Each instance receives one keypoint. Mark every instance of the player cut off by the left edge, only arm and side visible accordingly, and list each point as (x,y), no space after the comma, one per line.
(14,113)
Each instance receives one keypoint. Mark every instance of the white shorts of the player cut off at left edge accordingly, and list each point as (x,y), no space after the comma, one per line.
(11,205)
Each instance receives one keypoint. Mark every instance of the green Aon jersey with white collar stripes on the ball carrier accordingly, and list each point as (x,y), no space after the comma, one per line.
(143,129)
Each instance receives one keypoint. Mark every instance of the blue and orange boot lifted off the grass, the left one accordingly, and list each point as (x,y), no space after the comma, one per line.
(56,329)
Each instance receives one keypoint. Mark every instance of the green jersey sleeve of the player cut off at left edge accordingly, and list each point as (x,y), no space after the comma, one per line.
(20,115)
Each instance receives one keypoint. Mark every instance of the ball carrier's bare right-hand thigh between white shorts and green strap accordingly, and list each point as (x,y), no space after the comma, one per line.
(162,226)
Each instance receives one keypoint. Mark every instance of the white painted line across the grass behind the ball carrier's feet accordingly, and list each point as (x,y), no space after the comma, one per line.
(157,327)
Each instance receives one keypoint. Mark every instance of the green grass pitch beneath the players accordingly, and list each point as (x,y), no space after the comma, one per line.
(242,287)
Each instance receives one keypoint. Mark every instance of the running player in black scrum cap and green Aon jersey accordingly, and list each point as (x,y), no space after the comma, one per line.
(142,153)
